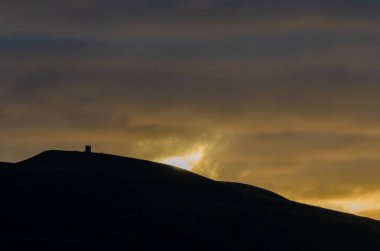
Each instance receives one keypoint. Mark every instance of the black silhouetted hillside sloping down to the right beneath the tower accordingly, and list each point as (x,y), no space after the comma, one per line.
(60,195)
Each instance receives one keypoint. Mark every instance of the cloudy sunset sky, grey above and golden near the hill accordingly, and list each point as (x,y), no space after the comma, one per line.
(279,94)
